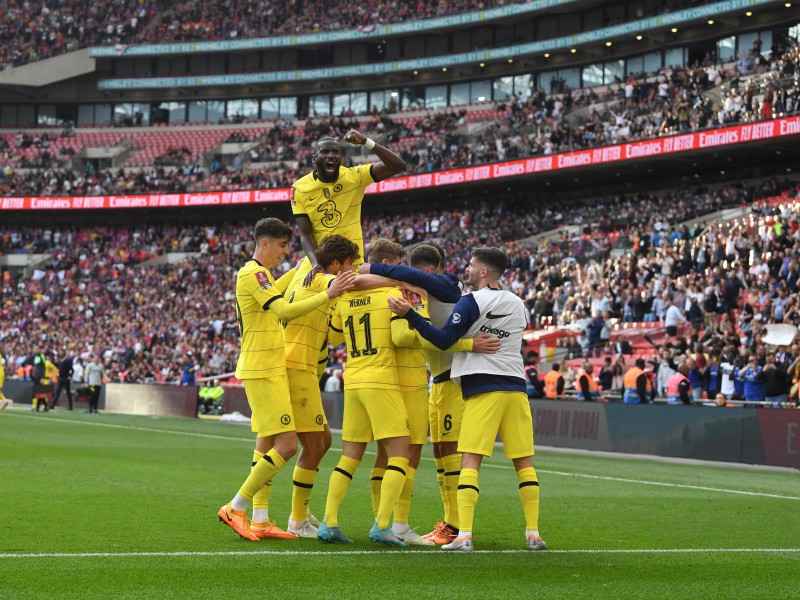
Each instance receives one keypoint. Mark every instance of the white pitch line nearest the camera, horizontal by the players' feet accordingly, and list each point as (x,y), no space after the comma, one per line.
(398,552)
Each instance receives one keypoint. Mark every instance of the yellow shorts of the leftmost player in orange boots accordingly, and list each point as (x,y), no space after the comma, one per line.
(270,404)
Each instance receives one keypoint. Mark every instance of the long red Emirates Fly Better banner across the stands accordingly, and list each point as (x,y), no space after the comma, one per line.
(738,134)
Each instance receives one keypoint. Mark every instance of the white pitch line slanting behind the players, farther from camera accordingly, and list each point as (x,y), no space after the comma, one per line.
(684,486)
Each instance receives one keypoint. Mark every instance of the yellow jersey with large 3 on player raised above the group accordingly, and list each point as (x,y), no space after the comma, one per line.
(334,208)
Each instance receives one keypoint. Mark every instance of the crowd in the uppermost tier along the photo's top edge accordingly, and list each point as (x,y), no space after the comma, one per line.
(35,30)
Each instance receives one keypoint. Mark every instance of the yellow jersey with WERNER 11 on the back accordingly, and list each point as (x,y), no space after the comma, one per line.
(364,320)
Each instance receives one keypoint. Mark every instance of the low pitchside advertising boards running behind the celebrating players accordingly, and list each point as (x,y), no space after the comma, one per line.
(747,435)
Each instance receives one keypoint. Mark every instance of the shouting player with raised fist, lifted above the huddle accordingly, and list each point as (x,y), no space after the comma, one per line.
(328,200)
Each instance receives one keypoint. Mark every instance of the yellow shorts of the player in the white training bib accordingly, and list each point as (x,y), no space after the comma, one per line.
(506,413)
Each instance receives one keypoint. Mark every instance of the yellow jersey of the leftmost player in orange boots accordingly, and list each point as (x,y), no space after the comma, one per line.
(262,353)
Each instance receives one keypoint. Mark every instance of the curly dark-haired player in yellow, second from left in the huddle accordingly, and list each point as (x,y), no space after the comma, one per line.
(304,338)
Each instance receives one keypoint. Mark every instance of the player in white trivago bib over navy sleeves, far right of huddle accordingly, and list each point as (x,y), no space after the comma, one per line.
(493,387)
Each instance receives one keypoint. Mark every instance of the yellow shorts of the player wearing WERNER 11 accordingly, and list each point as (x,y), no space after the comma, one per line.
(373,415)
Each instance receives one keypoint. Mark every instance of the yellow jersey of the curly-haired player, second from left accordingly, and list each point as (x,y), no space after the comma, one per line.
(306,336)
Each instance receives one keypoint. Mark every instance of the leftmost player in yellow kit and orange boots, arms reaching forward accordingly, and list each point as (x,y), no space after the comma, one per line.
(260,306)
